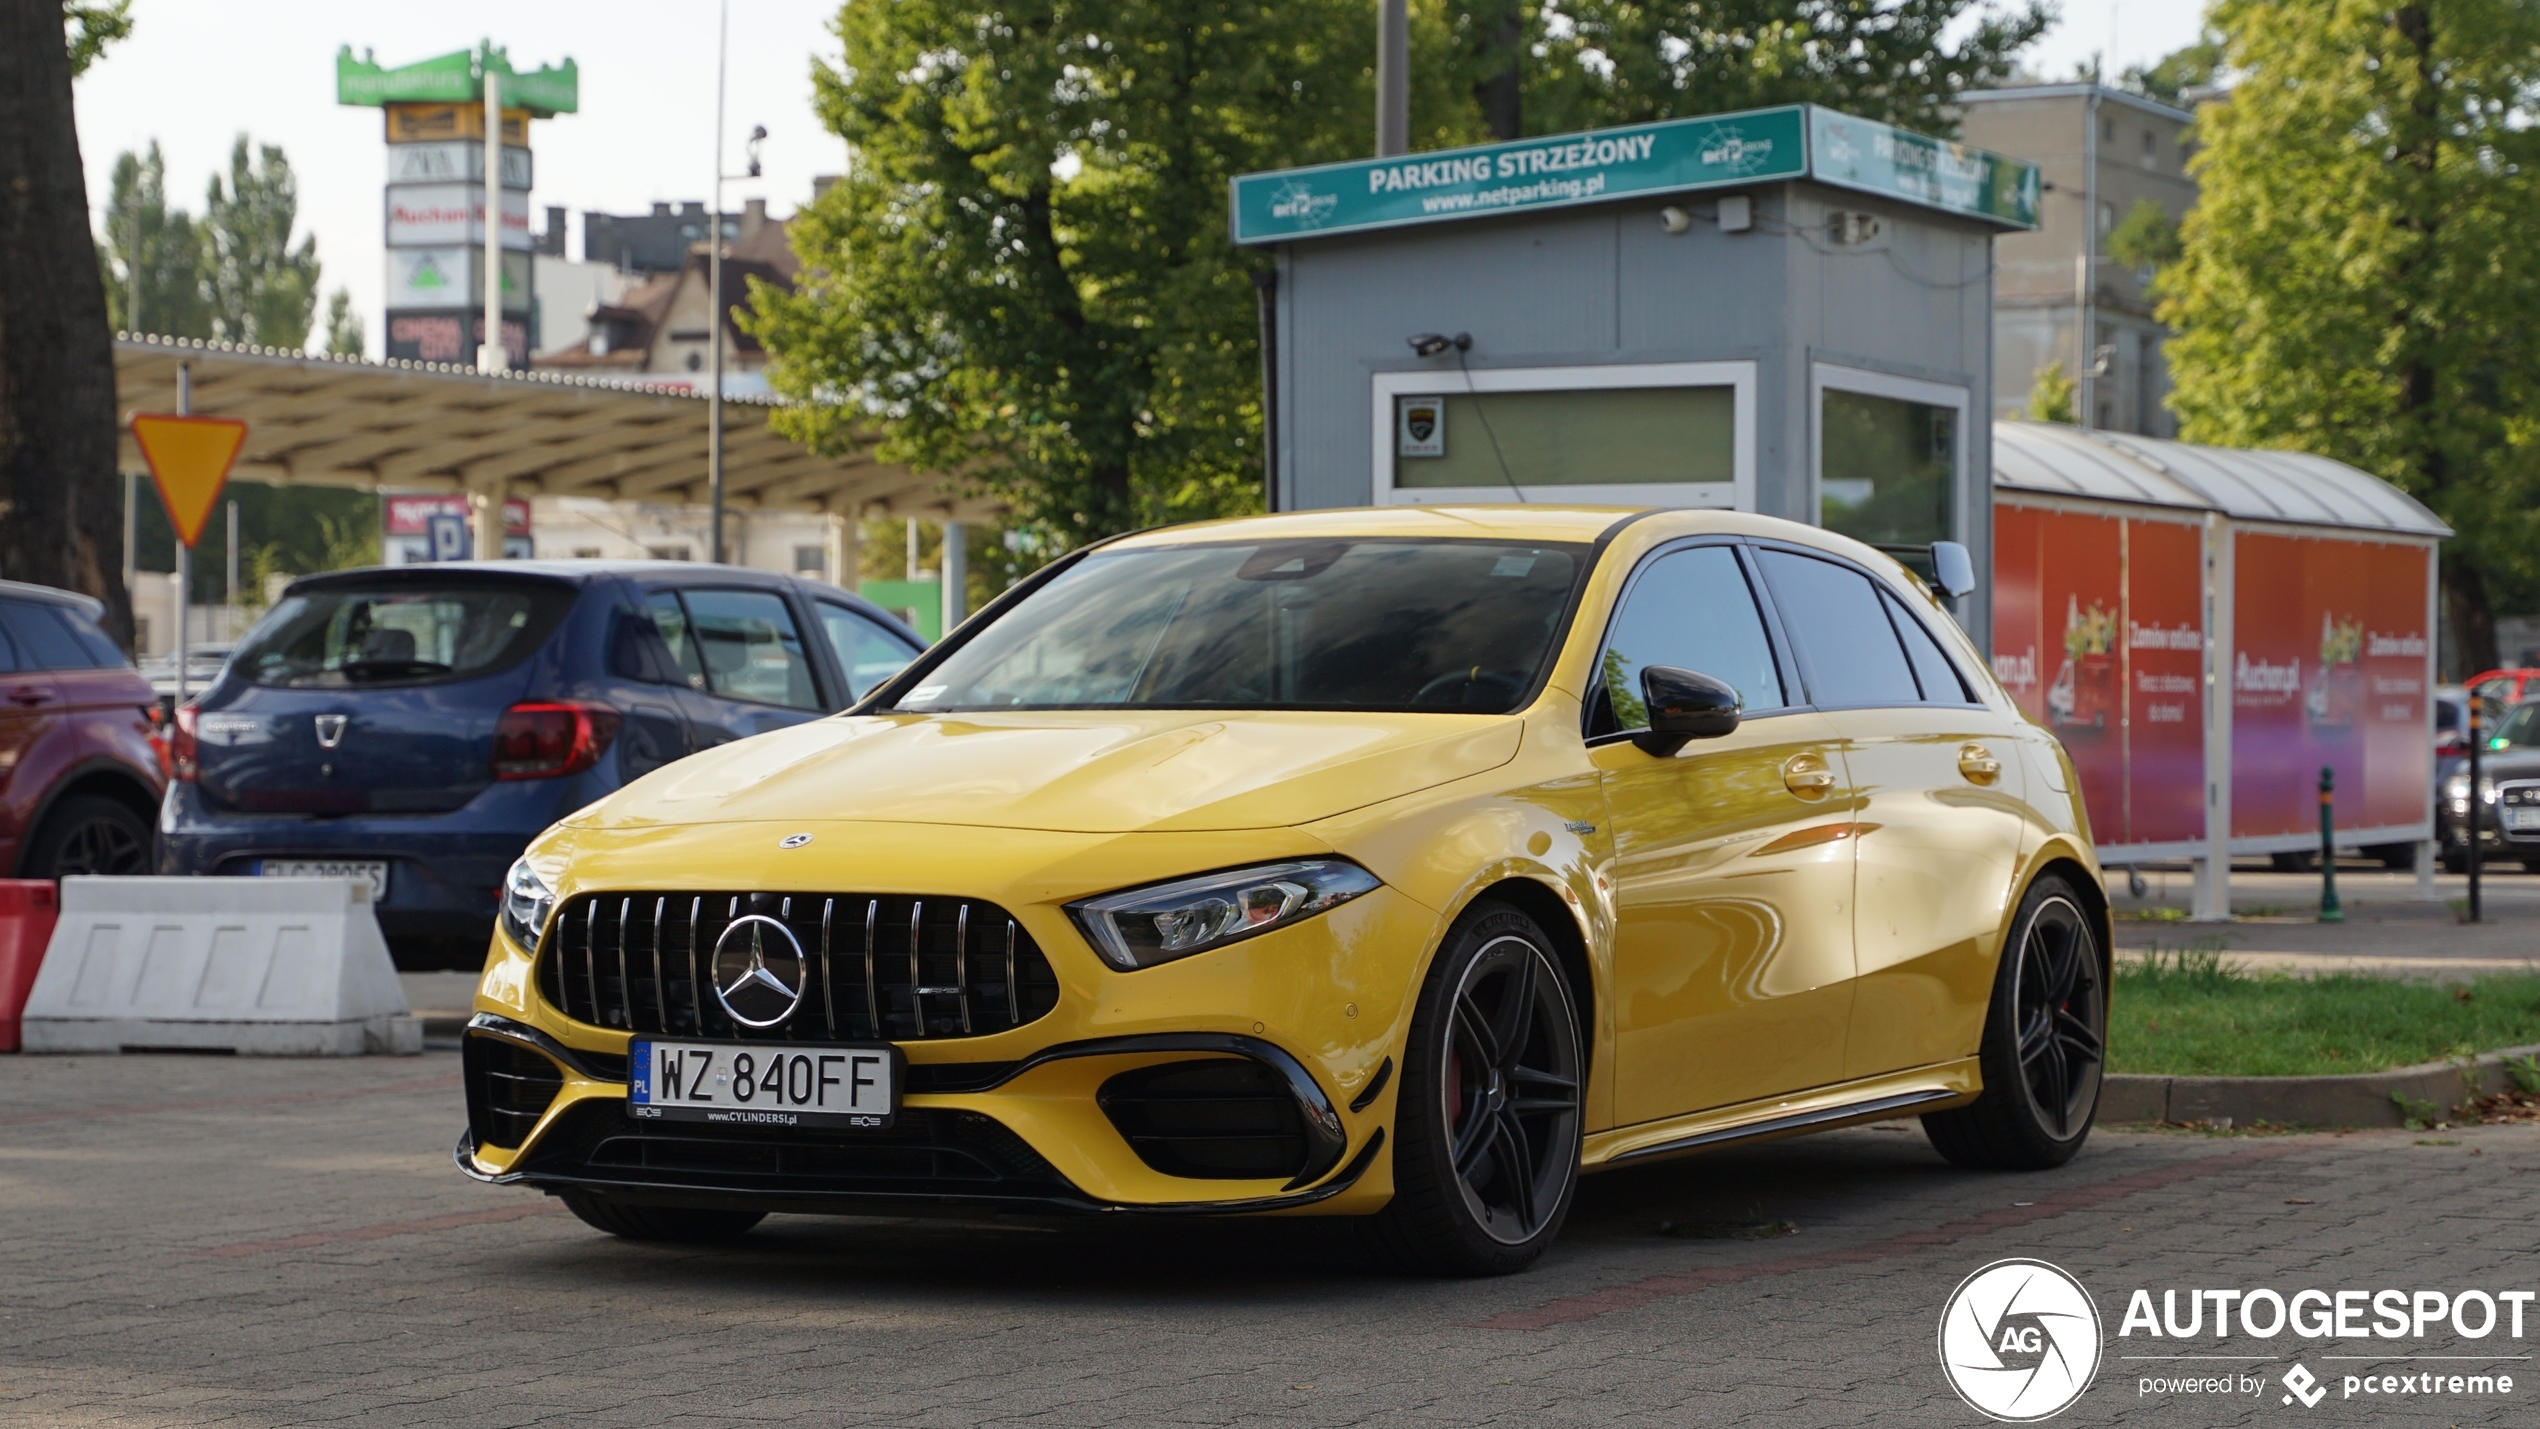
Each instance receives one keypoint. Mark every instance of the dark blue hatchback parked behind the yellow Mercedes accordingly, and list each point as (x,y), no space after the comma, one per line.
(420,725)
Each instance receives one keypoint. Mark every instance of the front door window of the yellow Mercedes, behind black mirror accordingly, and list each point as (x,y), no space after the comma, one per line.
(1690,610)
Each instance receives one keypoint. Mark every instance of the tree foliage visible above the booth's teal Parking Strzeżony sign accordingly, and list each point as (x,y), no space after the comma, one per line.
(1906,62)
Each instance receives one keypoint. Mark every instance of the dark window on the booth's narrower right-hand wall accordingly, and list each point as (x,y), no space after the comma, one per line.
(1886,468)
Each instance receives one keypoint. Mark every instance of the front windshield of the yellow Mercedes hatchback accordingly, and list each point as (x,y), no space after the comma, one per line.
(1340,626)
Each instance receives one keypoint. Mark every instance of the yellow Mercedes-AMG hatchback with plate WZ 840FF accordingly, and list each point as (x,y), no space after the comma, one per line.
(1391,864)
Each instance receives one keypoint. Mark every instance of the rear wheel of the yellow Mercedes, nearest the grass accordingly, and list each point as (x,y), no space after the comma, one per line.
(2046,1042)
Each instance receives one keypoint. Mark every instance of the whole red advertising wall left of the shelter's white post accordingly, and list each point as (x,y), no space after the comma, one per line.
(2099,633)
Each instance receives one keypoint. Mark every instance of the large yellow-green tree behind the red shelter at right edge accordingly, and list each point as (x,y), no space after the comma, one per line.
(2356,278)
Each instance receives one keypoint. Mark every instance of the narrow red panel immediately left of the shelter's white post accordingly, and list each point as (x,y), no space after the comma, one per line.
(2165,682)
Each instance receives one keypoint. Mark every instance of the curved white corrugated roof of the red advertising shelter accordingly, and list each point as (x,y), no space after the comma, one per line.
(2297,489)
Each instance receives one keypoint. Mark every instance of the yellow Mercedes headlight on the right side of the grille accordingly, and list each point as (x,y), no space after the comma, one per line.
(1162,923)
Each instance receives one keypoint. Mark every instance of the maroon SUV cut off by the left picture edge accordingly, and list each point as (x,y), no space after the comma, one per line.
(80,775)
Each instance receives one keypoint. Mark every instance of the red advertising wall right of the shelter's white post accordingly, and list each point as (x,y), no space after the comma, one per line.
(2328,671)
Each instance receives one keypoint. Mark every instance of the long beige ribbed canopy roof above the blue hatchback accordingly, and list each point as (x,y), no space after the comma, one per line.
(347,423)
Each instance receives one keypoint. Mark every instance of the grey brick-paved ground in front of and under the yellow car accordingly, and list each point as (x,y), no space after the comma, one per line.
(286,1242)
